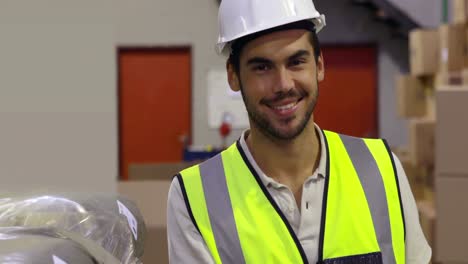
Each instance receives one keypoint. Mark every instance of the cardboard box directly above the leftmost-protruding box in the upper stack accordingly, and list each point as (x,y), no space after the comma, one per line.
(424,58)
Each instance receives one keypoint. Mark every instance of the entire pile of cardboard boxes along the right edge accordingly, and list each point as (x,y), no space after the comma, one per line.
(434,99)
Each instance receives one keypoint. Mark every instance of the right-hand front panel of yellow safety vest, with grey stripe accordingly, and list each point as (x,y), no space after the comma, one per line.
(361,173)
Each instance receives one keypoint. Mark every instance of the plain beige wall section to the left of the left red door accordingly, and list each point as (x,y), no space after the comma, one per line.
(57,96)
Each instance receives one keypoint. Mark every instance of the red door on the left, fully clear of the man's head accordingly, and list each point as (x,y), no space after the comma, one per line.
(154,105)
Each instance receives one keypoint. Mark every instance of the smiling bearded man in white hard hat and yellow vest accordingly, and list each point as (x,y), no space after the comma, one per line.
(286,191)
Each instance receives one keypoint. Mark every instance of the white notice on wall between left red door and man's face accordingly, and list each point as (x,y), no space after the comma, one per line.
(223,102)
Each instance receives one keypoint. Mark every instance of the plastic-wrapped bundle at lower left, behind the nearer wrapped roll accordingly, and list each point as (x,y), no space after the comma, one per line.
(111,222)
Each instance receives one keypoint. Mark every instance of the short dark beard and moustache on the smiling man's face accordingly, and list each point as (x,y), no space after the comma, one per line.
(268,129)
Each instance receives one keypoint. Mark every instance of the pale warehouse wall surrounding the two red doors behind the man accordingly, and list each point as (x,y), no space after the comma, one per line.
(58,86)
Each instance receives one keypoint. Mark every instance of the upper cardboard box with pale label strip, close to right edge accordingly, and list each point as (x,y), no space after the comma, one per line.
(452,47)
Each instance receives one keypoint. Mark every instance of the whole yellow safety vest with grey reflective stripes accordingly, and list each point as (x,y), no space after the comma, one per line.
(362,215)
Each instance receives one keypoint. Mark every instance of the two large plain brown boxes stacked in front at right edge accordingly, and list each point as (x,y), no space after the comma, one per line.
(452,174)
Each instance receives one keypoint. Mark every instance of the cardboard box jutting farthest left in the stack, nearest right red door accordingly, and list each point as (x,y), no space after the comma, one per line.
(411,101)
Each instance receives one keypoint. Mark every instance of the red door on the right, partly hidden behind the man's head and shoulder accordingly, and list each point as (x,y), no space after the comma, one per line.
(348,96)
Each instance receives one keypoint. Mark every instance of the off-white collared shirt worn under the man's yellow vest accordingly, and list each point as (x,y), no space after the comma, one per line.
(187,246)
